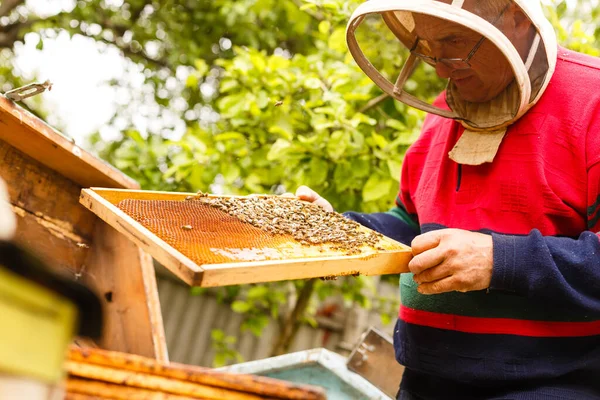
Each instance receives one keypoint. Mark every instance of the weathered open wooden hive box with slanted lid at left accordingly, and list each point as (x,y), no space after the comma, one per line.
(44,173)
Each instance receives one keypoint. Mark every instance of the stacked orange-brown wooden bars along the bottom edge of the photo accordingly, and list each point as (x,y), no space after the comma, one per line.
(99,374)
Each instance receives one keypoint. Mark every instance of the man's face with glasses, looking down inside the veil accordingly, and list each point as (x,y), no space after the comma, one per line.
(490,71)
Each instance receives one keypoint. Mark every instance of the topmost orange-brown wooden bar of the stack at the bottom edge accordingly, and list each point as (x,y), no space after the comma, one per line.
(264,386)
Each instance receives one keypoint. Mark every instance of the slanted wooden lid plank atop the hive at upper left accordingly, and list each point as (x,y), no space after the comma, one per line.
(26,132)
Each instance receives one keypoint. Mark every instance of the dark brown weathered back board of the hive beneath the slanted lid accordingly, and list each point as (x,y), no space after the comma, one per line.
(50,221)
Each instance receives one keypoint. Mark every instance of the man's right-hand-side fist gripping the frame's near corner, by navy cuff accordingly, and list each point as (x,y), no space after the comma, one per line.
(449,260)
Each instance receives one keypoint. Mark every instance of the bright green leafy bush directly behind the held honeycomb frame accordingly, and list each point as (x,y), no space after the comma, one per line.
(286,122)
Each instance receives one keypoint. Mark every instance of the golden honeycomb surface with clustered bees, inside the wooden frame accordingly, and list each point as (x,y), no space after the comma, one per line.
(214,230)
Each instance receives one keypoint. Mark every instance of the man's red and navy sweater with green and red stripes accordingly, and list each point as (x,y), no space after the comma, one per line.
(540,201)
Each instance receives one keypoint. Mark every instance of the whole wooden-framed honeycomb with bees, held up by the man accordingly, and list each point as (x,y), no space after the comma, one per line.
(206,246)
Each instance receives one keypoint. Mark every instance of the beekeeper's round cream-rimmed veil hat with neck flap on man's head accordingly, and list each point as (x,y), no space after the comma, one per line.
(492,59)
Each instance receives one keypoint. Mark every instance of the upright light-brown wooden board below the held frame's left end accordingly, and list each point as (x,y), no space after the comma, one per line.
(123,276)
